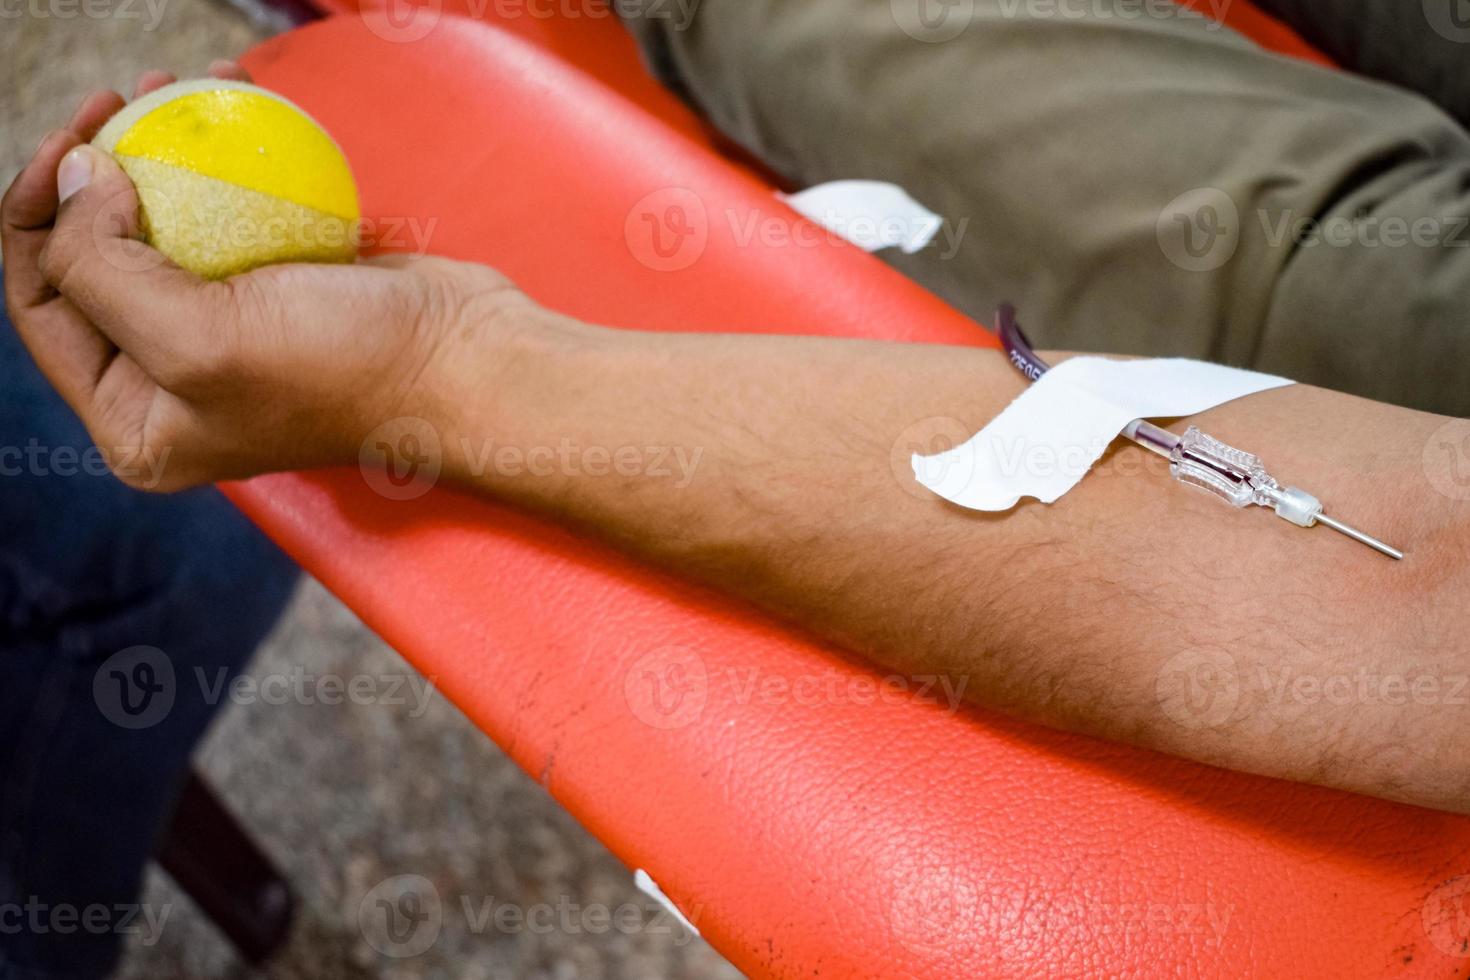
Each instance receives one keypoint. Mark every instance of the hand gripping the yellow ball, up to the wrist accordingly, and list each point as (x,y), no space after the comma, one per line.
(183,381)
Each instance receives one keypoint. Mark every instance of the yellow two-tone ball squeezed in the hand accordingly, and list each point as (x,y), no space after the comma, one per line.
(232,177)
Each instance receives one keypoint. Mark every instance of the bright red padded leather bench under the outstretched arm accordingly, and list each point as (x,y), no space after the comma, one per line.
(852,837)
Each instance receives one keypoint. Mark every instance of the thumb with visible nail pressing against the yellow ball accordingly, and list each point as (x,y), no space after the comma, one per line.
(143,303)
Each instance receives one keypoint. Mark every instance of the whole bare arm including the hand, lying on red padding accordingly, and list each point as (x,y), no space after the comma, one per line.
(1103,613)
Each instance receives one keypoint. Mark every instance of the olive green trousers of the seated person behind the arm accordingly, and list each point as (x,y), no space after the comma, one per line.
(1134,177)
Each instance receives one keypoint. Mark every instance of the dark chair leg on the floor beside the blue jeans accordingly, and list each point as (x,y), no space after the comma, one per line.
(233,882)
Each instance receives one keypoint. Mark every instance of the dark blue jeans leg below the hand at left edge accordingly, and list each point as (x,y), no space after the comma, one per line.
(120,616)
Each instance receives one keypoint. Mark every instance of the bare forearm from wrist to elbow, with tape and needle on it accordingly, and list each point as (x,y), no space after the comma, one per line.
(778,469)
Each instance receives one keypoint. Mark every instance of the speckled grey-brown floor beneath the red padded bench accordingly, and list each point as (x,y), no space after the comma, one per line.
(351,797)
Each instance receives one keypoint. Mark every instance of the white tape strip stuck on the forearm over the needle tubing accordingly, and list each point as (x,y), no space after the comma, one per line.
(1052,436)
